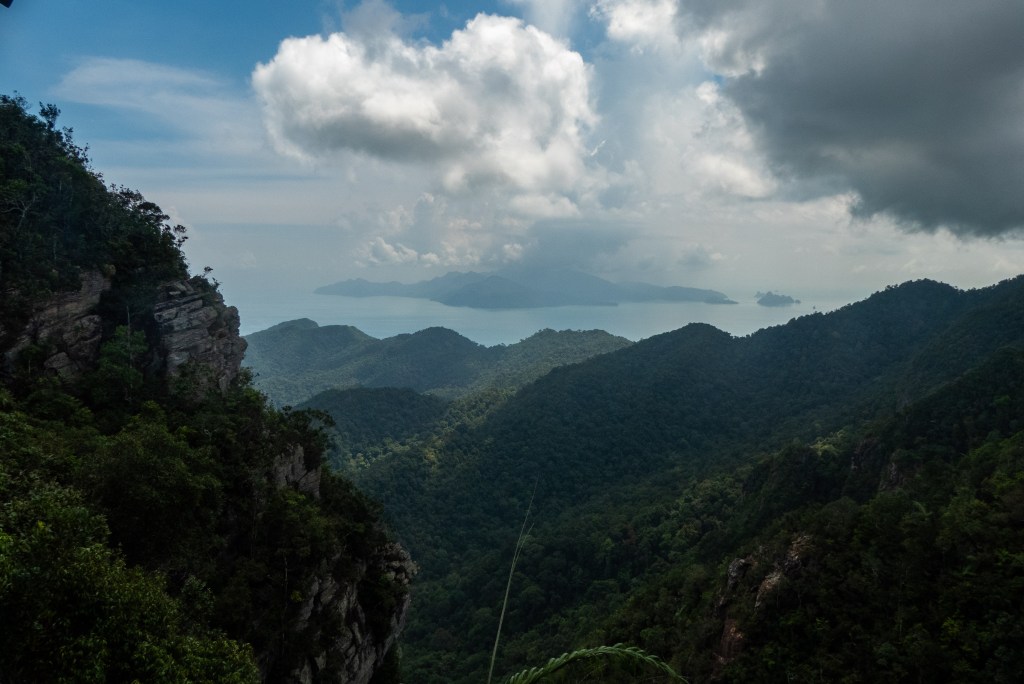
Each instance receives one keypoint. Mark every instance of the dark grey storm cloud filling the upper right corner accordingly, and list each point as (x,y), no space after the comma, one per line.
(917,106)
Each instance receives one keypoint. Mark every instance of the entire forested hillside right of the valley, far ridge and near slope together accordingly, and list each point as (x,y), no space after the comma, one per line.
(739,506)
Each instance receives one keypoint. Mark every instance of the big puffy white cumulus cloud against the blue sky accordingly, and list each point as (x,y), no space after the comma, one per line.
(500,104)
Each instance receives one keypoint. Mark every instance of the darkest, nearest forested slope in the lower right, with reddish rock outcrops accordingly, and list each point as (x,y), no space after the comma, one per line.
(891,554)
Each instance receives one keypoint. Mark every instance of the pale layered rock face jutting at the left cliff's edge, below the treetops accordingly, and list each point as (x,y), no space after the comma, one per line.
(199,335)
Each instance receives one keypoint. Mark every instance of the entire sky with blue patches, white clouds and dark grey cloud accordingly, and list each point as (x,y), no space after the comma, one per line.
(803,147)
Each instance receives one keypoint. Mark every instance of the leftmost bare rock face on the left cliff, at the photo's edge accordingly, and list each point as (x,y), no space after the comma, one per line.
(69,328)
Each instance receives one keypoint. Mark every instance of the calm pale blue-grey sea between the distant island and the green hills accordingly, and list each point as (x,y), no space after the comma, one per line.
(387,317)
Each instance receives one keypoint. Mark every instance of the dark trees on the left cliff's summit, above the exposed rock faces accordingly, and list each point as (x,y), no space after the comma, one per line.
(59,220)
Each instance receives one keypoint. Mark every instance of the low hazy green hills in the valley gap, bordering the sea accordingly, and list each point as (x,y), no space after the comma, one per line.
(295,361)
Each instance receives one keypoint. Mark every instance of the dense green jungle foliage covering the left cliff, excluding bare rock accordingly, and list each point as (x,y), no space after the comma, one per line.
(142,535)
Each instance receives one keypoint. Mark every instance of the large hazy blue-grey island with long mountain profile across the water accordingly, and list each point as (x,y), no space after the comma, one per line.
(525,288)
